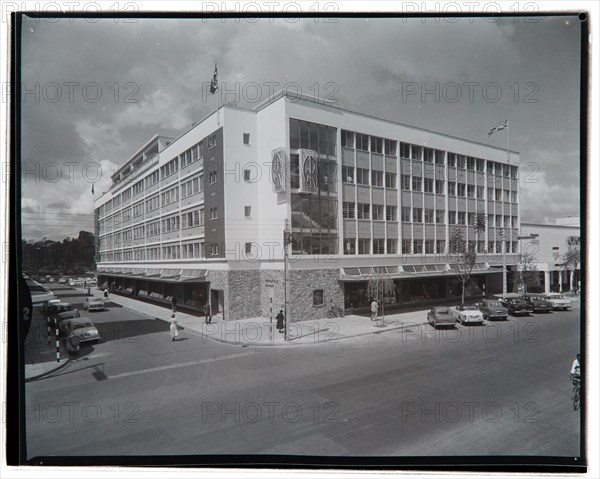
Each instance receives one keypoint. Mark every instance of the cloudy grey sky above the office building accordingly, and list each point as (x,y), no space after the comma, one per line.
(97,91)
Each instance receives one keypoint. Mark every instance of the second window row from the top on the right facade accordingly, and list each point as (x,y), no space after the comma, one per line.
(428,185)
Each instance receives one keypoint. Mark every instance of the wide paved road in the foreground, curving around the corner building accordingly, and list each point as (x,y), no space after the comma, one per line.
(501,388)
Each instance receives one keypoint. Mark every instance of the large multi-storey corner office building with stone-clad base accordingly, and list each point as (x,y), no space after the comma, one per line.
(202,217)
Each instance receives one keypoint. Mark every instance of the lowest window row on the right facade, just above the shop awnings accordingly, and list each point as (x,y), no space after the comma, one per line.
(418,246)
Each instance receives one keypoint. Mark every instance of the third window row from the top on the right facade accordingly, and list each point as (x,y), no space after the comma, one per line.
(367,211)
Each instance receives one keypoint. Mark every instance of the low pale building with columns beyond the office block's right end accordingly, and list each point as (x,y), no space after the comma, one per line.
(548,250)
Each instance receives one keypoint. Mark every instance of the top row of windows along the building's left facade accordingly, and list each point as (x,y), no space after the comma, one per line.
(186,158)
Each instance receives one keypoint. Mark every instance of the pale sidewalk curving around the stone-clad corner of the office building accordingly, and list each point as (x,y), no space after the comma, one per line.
(262,332)
